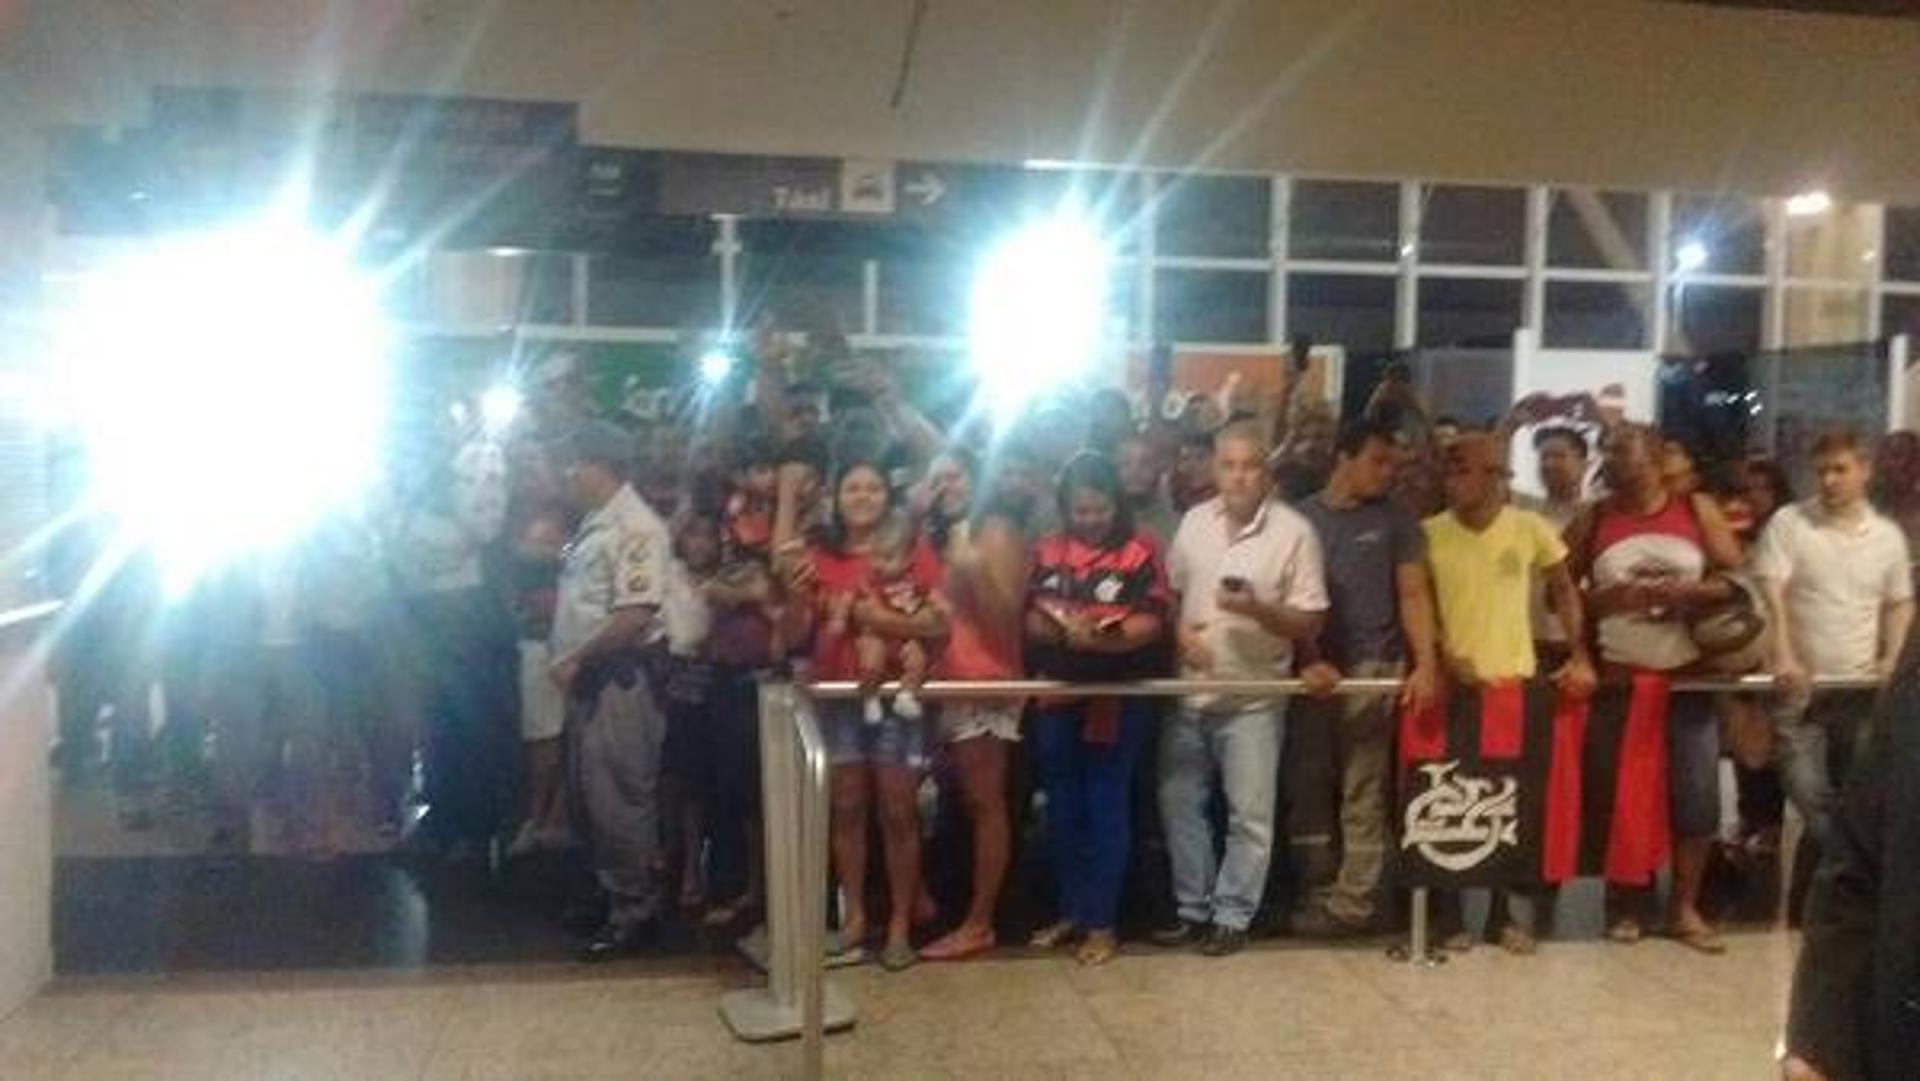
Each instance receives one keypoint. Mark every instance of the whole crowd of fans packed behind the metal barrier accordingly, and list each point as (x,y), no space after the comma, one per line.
(550,637)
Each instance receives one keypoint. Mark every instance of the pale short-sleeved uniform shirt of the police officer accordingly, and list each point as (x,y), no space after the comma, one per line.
(615,562)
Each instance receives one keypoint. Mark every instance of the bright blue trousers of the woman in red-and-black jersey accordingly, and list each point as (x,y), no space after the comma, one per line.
(1090,807)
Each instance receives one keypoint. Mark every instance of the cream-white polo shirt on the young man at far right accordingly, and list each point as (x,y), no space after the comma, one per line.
(1838,577)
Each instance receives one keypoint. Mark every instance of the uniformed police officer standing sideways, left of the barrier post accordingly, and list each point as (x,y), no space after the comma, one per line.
(608,615)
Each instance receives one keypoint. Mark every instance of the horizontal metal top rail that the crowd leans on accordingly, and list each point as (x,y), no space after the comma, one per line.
(959,690)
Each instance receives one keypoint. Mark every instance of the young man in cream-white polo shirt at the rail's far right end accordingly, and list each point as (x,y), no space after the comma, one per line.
(1836,579)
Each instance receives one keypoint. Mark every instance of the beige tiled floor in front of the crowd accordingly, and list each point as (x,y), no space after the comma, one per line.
(1577,1011)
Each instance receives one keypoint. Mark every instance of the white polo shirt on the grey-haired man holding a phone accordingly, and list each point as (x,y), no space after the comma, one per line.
(1280,558)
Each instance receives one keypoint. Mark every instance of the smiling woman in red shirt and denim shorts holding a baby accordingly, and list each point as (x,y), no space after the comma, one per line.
(882,759)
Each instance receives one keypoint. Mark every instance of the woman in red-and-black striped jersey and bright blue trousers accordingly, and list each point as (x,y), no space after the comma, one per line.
(1097,610)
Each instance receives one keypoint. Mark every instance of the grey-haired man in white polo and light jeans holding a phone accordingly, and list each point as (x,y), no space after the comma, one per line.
(1251,581)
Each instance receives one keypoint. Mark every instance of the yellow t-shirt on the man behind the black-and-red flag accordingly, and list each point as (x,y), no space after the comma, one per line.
(1483,583)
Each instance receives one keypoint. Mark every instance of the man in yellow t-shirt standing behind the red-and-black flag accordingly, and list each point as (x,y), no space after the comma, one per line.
(1483,556)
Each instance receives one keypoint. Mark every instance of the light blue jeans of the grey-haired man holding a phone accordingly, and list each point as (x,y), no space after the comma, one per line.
(1245,750)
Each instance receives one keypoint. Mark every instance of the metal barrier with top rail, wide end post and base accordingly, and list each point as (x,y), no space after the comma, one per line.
(794,761)
